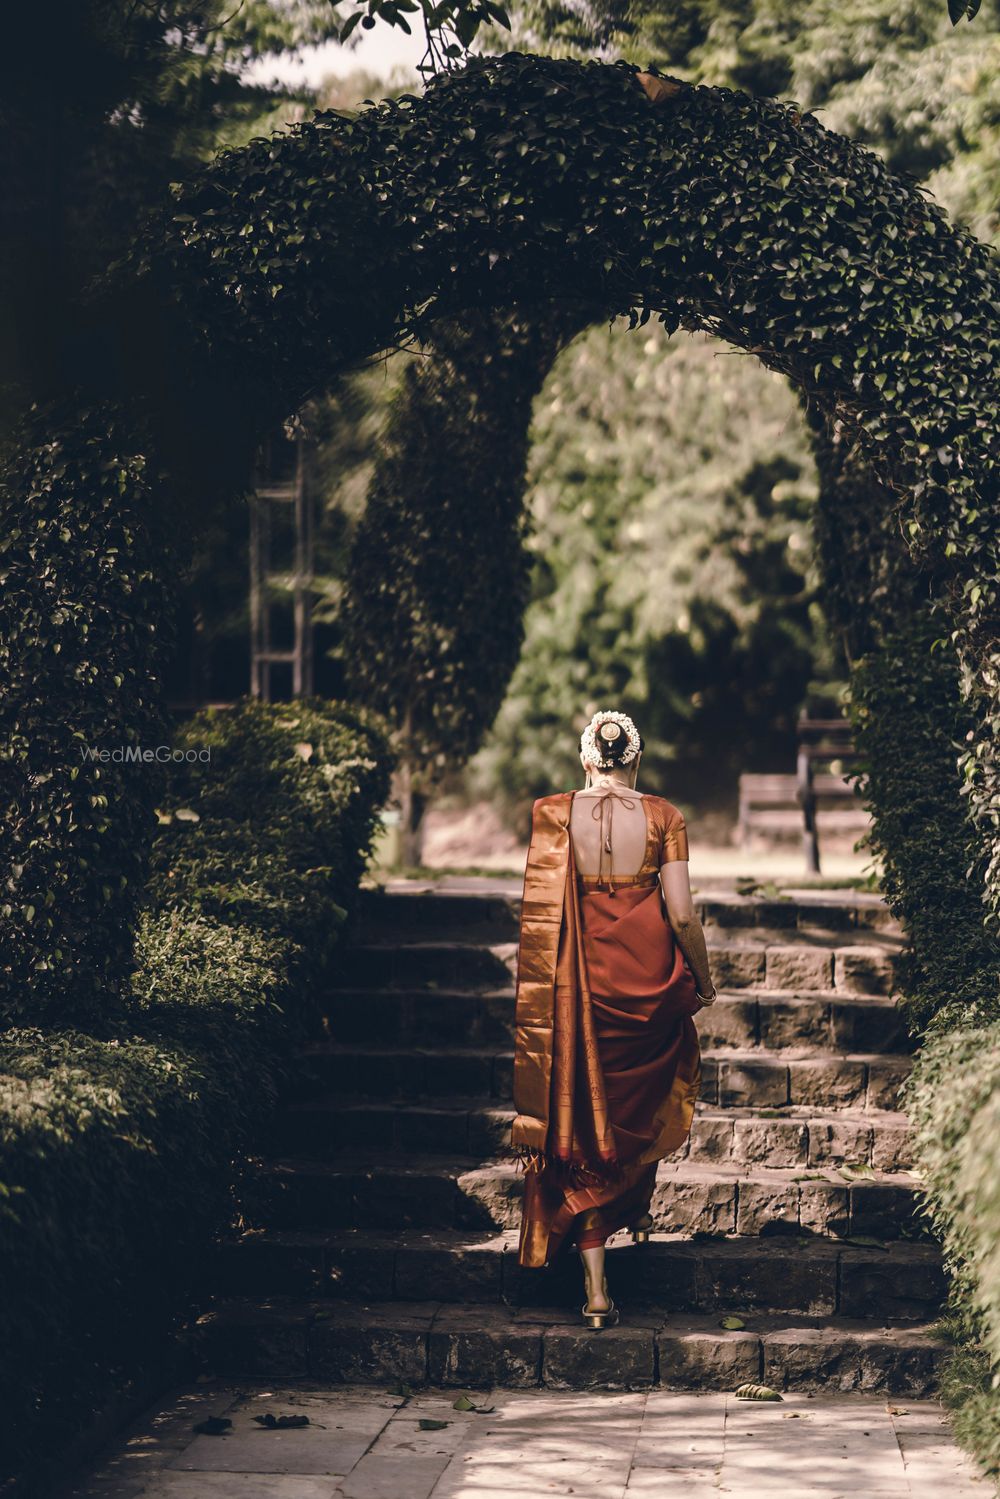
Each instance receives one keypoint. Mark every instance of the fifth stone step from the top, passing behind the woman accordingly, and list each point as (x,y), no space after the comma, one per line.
(797,1137)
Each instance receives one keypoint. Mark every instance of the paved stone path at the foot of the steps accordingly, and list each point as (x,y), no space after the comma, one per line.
(367,1444)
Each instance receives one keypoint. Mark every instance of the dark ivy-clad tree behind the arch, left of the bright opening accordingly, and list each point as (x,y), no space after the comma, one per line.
(439,576)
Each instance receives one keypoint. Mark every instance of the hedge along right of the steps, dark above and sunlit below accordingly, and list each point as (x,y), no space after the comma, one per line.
(911,723)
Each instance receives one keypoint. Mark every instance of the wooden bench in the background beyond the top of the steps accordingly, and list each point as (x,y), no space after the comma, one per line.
(780,804)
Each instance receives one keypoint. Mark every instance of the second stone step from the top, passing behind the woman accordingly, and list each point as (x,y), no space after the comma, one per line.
(770,960)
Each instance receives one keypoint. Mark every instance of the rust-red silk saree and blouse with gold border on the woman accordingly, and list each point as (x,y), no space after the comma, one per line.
(606,1052)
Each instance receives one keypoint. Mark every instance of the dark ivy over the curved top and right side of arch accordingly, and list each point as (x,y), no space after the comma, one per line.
(713,211)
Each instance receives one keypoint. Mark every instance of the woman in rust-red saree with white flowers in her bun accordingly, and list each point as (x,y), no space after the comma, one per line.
(606,1062)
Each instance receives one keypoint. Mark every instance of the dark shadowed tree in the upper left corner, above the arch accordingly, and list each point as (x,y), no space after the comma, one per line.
(103,104)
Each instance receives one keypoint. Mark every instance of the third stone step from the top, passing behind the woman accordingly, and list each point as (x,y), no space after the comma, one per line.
(473,1020)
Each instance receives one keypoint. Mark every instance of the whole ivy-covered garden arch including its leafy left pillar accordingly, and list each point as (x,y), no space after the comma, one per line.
(522,182)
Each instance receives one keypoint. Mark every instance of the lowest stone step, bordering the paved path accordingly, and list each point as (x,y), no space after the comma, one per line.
(521,1348)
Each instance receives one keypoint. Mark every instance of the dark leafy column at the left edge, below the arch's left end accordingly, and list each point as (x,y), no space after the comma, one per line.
(85,576)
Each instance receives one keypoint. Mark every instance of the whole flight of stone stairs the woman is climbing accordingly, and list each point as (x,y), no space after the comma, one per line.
(382,1231)
